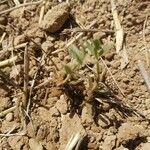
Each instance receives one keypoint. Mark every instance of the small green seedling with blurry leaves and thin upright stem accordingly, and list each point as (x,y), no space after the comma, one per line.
(78,55)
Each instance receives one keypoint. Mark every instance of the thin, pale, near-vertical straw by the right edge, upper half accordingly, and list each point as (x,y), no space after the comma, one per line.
(145,43)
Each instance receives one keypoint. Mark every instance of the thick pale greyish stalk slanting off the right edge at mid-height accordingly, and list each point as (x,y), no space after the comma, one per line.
(144,74)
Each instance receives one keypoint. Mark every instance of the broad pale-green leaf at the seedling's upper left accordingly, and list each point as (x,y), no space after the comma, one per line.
(77,54)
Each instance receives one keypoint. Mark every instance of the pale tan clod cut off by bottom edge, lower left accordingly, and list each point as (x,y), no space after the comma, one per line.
(35,145)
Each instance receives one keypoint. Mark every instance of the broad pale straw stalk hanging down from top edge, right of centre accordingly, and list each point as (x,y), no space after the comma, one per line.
(119,30)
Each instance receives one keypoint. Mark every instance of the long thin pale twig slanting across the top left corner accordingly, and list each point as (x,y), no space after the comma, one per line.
(19,6)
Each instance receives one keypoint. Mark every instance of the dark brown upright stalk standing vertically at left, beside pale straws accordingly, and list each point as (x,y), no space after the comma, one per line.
(26,77)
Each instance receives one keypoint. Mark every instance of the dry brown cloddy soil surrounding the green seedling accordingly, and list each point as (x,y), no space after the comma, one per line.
(58,109)
